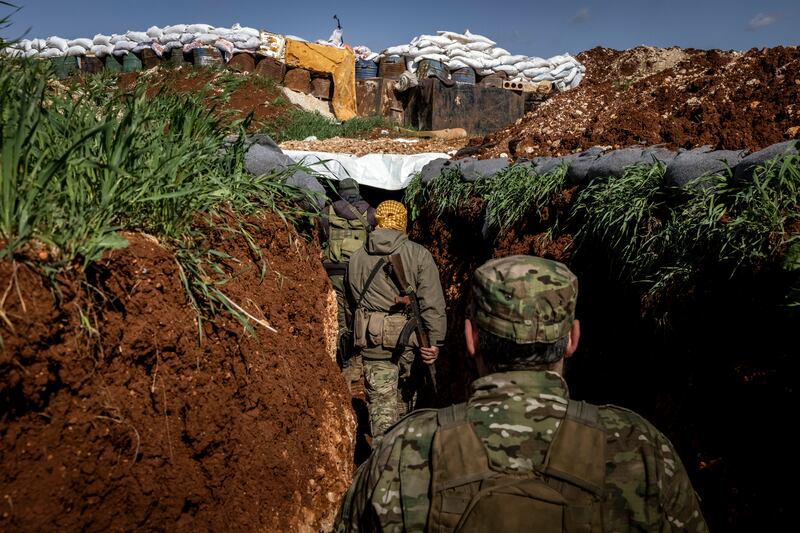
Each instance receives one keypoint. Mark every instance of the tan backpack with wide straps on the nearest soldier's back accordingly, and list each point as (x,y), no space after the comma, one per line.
(562,494)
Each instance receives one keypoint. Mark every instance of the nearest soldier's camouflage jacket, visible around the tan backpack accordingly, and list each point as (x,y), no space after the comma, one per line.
(515,414)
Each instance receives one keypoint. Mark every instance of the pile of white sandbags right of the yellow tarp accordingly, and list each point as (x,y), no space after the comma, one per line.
(480,53)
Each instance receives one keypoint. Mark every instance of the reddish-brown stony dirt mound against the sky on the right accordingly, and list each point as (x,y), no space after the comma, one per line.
(682,98)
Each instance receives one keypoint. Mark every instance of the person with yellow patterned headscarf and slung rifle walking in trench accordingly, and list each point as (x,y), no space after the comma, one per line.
(390,384)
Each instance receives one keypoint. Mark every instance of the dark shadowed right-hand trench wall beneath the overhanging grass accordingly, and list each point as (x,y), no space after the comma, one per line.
(713,368)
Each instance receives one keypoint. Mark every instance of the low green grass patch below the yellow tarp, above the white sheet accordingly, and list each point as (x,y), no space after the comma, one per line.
(298,124)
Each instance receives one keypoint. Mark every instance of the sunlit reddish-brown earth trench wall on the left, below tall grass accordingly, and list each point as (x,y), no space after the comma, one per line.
(115,418)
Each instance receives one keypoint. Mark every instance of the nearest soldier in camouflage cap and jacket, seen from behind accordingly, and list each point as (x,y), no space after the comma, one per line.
(520,328)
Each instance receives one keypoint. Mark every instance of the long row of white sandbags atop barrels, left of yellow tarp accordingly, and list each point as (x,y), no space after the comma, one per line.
(186,36)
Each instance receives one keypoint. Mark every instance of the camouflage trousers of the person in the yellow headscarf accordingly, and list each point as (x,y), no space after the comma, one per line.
(391,390)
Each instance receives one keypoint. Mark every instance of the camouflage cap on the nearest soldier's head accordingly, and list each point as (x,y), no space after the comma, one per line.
(525,299)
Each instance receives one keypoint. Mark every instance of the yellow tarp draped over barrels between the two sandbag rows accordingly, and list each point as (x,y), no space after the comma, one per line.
(340,63)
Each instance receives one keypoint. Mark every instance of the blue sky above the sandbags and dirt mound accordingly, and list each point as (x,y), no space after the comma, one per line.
(523,27)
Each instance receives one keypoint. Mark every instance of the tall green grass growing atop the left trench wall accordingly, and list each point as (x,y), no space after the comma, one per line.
(78,166)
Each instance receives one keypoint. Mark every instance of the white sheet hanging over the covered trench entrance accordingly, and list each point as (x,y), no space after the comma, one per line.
(384,171)
